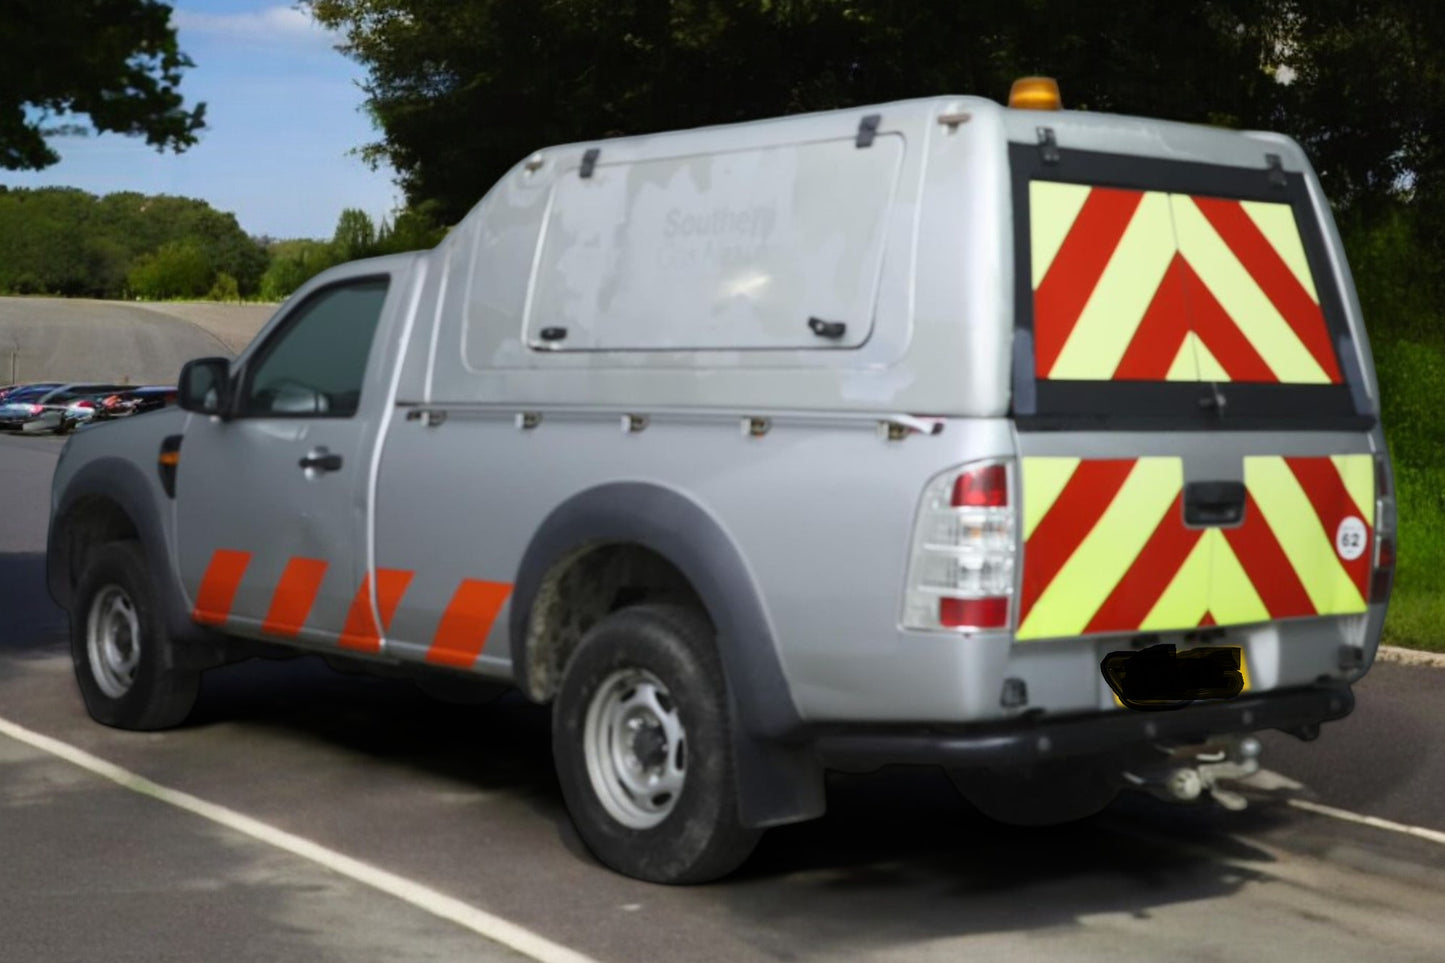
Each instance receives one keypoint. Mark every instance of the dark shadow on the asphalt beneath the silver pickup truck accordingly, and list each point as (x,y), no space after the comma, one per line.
(898,858)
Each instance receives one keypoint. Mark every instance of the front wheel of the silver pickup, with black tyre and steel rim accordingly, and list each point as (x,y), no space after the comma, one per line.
(132,683)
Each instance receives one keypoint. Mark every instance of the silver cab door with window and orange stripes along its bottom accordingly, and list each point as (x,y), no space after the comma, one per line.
(271,502)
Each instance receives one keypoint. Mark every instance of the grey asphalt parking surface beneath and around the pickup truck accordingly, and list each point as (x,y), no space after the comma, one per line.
(463,800)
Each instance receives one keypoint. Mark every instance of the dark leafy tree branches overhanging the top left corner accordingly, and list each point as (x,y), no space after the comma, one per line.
(115,61)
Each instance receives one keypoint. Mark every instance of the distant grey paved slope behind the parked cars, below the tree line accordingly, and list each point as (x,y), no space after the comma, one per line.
(54,339)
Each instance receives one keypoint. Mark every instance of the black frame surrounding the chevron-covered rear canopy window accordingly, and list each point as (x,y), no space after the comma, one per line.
(1044,404)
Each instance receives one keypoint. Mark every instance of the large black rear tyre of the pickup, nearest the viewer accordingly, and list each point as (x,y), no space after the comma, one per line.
(699,838)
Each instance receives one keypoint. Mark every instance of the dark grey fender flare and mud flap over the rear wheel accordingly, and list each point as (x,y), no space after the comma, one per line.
(780,780)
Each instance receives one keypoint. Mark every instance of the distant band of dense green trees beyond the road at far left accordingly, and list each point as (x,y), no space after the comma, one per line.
(67,242)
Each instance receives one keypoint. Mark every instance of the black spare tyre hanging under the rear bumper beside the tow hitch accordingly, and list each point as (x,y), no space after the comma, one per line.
(1050,795)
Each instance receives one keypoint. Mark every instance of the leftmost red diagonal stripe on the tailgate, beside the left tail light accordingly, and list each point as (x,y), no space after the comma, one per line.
(1070,520)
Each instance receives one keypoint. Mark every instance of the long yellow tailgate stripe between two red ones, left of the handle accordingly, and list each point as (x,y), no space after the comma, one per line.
(1108,553)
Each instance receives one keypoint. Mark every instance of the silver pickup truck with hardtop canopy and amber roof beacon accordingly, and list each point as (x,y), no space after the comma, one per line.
(928,433)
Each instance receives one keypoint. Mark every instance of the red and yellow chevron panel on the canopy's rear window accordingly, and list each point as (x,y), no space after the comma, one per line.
(1145,286)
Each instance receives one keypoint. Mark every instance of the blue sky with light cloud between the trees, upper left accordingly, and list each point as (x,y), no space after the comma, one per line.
(284,122)
